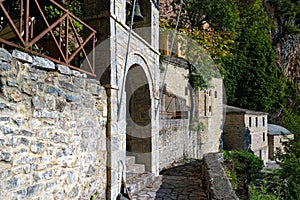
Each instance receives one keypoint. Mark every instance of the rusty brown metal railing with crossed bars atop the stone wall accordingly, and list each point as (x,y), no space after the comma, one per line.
(47,29)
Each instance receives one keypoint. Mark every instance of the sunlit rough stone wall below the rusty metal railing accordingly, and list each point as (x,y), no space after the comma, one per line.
(52,131)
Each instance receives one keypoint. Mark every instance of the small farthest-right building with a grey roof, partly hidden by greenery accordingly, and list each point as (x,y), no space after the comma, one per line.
(276,136)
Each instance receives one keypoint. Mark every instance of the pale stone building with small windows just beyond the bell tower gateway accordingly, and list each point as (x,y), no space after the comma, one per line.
(190,120)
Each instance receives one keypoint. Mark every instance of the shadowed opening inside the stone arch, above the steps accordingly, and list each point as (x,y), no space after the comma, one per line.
(138,116)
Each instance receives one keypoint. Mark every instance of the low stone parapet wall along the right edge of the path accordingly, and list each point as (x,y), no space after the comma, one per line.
(217,184)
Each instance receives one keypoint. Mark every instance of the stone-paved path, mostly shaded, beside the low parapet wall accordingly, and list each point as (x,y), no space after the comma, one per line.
(181,182)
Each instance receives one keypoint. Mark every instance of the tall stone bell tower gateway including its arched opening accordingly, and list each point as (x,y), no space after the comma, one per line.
(131,89)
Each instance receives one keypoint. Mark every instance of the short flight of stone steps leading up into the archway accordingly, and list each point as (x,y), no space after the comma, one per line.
(136,176)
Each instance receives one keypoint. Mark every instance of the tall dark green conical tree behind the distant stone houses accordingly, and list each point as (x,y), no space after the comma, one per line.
(251,80)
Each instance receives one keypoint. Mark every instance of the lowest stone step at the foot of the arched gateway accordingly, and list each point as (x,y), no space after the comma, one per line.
(139,182)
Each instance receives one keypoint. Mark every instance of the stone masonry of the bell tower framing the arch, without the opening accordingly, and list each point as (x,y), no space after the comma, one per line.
(108,18)
